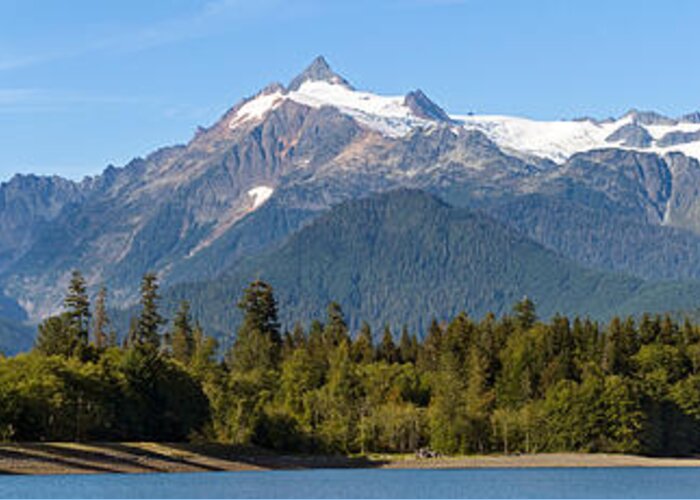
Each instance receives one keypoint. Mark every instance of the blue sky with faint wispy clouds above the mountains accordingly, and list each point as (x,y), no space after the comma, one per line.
(85,83)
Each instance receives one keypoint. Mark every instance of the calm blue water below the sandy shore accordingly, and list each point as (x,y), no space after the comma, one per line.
(369,483)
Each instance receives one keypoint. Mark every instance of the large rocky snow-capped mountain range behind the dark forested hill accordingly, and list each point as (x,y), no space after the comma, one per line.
(277,161)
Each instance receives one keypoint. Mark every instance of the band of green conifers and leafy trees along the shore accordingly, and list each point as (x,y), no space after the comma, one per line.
(514,384)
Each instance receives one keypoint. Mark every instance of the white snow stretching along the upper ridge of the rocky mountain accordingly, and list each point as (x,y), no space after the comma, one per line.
(554,140)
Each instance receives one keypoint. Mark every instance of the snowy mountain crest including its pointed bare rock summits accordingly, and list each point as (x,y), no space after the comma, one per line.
(396,116)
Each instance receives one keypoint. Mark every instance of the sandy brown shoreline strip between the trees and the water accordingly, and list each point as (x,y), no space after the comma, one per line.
(145,457)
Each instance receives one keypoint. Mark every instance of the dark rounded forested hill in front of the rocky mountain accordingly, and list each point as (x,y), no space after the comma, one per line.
(405,257)
